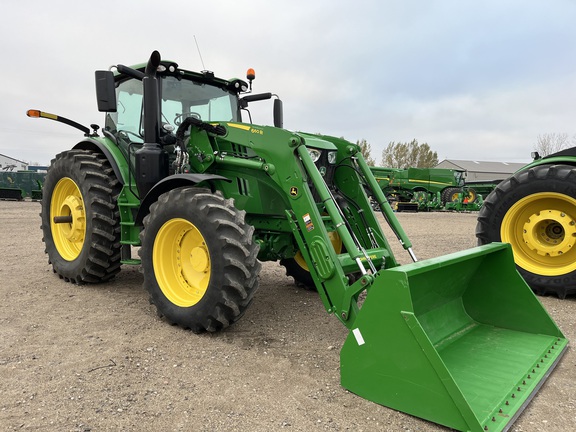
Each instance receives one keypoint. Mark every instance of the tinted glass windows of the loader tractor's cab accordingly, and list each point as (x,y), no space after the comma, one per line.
(180,99)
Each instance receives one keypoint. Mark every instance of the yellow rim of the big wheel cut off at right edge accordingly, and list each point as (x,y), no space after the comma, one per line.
(542,231)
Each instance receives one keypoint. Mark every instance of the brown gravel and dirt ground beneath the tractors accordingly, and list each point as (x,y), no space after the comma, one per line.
(97,358)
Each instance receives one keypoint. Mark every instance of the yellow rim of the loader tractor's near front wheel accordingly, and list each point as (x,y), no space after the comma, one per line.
(181,262)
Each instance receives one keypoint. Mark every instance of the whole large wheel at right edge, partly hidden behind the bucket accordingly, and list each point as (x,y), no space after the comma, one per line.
(535,211)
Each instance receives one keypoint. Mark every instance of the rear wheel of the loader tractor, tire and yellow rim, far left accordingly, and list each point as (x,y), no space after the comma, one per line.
(81,191)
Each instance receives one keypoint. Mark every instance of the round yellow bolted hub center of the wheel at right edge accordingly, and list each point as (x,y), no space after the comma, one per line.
(550,233)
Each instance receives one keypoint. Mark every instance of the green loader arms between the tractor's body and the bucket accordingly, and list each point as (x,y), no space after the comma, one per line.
(311,208)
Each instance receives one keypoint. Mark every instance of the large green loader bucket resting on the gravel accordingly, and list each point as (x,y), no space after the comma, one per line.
(459,340)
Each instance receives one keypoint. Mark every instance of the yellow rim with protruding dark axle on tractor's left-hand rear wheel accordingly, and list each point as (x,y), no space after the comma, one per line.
(67,201)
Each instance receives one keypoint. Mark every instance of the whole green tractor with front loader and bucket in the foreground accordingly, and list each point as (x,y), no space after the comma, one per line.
(459,340)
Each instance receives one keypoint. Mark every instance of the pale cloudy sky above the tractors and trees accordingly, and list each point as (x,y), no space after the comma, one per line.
(474,80)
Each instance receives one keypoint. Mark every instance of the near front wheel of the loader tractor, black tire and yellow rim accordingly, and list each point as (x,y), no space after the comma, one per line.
(199,260)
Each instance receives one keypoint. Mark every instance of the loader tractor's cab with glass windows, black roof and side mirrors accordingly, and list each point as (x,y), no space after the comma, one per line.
(182,94)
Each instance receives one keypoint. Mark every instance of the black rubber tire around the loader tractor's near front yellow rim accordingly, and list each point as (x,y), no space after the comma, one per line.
(236,249)
